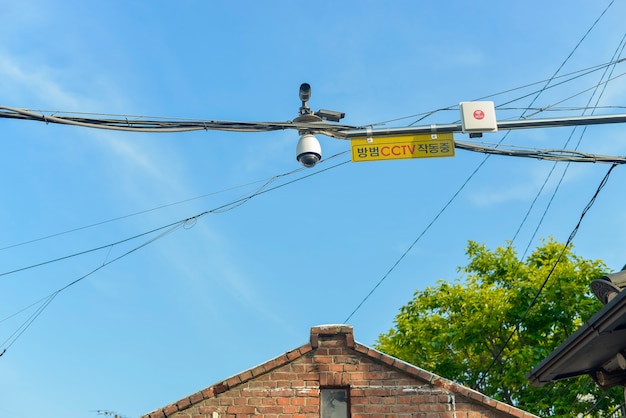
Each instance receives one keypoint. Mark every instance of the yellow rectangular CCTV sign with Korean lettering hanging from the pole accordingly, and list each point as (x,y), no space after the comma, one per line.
(399,147)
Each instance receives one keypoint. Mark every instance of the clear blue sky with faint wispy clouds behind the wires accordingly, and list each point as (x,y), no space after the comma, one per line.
(242,285)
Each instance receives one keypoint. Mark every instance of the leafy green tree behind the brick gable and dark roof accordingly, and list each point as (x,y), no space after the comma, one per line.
(460,330)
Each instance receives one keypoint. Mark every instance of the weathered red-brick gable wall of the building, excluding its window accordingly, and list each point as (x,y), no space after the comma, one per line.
(380,387)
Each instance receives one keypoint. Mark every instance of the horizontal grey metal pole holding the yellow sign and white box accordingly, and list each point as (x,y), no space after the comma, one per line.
(503,125)
